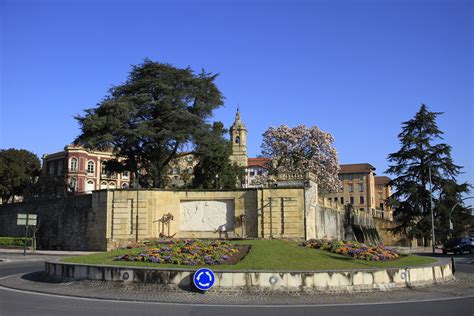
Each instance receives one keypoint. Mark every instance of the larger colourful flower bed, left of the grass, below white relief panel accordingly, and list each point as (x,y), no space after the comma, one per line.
(184,252)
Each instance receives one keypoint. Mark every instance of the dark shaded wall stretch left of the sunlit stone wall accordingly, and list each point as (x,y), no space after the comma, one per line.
(68,224)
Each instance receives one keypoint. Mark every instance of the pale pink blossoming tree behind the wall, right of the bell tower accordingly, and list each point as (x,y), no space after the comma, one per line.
(302,149)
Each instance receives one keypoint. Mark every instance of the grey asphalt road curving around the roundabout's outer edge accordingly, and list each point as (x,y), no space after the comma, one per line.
(13,302)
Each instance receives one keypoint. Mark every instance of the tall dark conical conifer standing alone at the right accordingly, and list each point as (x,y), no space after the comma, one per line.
(421,154)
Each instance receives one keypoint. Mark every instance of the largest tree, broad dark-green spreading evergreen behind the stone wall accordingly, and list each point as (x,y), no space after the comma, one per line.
(147,120)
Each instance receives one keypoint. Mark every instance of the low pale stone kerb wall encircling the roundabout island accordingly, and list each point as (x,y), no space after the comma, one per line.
(260,281)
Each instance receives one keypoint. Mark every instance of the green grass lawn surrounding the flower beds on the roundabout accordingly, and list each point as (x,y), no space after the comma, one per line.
(270,255)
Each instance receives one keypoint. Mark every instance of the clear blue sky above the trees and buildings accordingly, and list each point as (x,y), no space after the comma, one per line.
(356,69)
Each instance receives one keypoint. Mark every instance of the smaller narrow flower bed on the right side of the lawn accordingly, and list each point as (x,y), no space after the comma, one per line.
(353,249)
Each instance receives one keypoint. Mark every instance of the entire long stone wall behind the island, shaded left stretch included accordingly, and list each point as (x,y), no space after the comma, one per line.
(108,219)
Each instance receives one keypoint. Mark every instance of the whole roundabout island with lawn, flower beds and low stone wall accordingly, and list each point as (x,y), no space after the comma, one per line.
(256,266)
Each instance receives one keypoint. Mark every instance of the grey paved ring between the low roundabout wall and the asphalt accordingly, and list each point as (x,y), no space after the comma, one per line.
(462,286)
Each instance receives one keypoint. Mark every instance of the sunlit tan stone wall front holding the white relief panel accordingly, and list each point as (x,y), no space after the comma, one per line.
(250,213)
